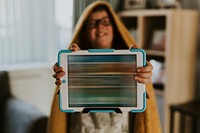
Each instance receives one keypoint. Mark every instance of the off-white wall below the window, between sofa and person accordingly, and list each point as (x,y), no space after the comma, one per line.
(35,86)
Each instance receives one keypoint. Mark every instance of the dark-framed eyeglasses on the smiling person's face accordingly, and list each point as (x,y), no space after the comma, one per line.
(95,23)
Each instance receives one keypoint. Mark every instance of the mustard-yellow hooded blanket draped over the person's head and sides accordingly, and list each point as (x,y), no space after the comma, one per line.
(146,122)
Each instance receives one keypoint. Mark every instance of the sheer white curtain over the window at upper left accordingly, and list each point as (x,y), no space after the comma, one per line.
(32,30)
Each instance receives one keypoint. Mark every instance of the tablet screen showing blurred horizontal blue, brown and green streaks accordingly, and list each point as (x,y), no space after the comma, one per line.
(102,81)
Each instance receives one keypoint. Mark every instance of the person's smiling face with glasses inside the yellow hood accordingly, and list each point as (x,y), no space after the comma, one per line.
(100,30)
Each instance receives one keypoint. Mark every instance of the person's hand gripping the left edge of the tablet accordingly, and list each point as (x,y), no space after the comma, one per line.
(59,73)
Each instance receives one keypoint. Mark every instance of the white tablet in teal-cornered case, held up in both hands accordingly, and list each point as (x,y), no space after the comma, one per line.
(101,80)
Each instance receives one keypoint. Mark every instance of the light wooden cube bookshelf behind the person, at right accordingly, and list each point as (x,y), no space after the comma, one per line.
(180,29)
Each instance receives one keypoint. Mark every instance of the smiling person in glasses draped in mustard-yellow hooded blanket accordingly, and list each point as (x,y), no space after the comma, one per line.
(100,28)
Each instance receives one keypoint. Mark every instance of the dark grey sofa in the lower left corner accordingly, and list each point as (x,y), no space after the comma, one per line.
(17,116)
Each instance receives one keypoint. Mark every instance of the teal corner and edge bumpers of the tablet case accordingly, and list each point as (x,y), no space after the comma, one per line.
(106,110)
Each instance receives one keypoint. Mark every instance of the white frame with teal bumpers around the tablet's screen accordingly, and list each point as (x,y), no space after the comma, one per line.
(63,95)
